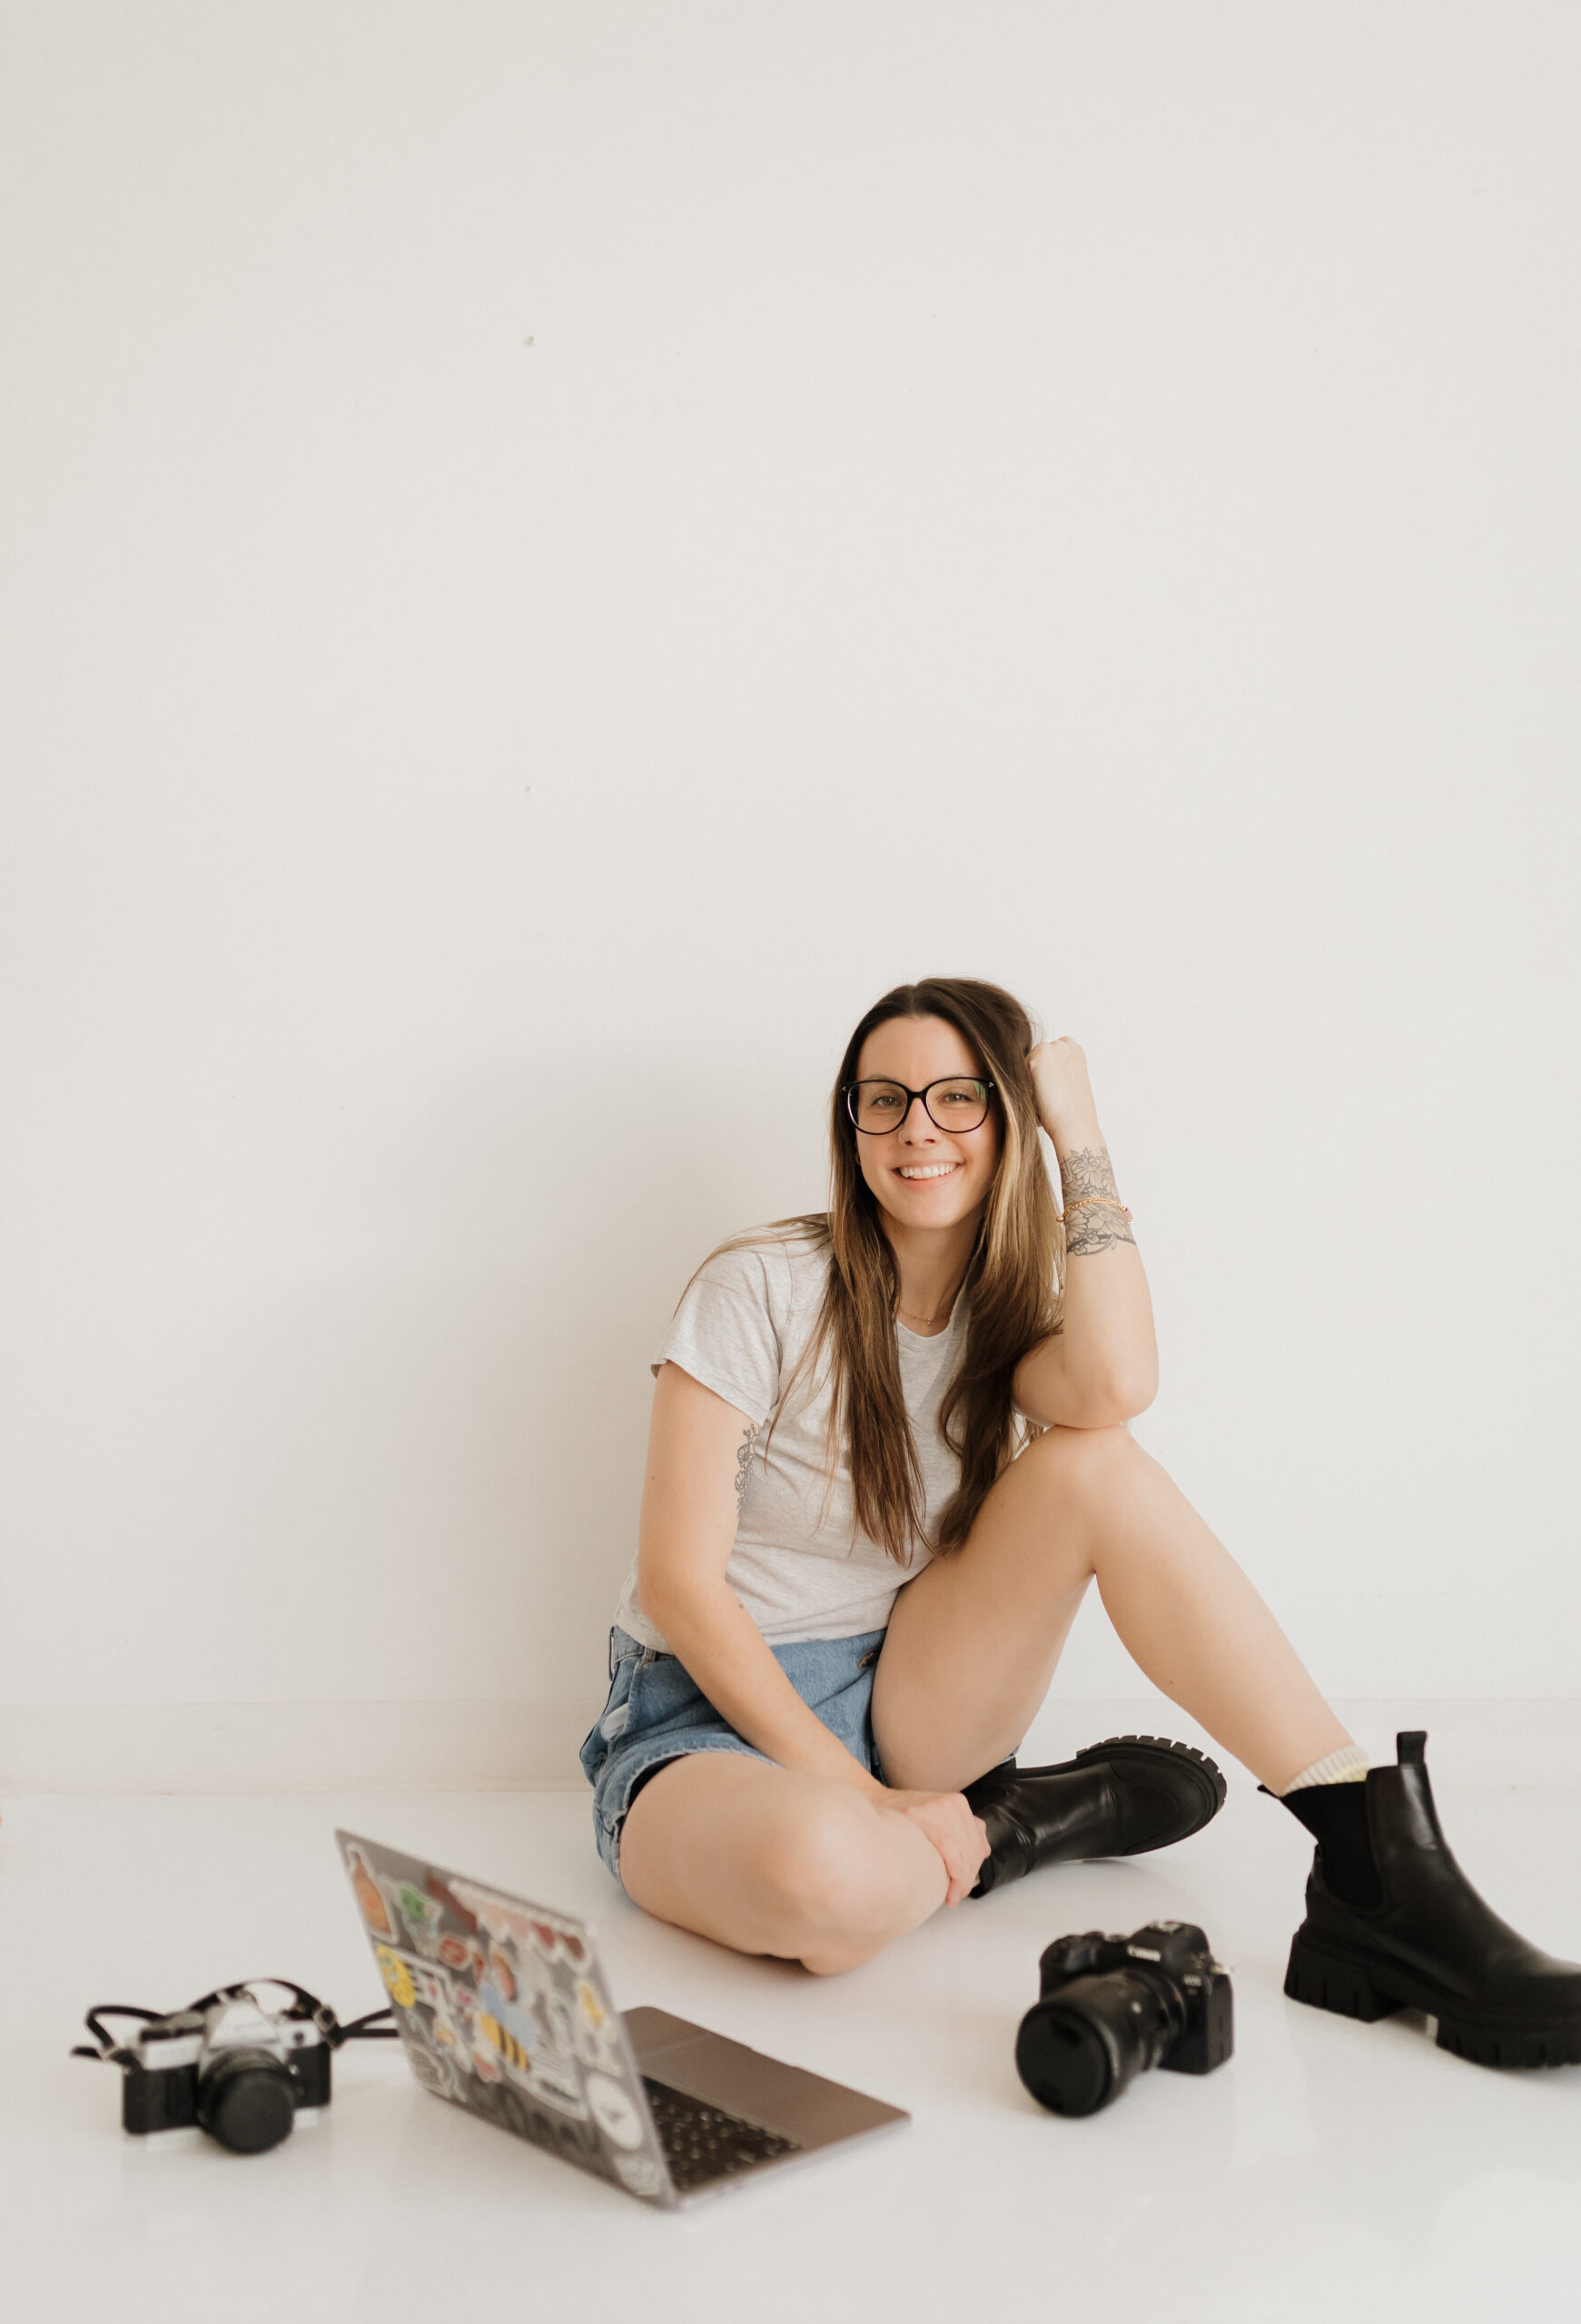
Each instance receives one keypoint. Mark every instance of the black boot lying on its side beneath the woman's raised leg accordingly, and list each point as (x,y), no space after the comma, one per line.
(1113,1800)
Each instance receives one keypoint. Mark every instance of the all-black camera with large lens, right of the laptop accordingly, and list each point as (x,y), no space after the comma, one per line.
(1113,2007)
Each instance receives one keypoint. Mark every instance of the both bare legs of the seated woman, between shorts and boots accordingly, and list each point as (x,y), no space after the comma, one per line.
(768,1860)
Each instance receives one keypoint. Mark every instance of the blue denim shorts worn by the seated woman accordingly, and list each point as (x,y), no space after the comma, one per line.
(657,1714)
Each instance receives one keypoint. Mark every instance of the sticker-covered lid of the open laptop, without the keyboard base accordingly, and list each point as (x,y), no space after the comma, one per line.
(503,2009)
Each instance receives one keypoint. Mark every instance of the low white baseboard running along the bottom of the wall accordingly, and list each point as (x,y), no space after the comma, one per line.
(531,1746)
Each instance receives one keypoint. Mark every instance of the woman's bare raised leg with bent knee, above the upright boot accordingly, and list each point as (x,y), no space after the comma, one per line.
(973,1642)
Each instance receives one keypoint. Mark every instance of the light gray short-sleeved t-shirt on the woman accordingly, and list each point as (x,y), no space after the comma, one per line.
(799,1565)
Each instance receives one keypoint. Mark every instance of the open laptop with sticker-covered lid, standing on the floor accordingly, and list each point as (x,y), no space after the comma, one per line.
(503,2007)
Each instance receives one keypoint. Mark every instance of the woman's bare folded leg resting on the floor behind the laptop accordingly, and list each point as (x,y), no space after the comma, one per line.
(768,1860)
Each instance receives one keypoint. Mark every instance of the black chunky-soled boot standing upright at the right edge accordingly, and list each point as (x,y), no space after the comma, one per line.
(1394,1923)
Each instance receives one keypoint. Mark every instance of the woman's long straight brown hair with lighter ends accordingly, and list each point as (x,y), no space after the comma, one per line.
(1013,1286)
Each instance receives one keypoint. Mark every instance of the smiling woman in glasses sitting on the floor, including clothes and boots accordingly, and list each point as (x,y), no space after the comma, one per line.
(889,1454)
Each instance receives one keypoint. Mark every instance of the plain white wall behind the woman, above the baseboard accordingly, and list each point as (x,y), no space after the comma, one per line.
(555,552)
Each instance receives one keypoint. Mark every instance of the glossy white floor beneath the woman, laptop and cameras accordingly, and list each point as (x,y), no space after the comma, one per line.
(1329,2172)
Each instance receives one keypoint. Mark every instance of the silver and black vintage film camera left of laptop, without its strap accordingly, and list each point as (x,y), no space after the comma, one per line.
(234,2070)
